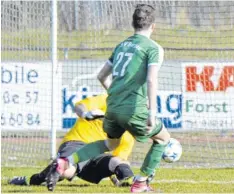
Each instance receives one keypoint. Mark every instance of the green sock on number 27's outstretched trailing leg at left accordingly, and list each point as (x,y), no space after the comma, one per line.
(88,151)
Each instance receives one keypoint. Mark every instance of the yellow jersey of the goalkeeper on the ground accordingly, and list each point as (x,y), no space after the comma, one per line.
(90,131)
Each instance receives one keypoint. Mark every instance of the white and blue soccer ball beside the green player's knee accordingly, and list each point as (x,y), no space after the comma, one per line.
(173,151)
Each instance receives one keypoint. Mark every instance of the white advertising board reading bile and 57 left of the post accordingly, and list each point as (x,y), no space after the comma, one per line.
(26,96)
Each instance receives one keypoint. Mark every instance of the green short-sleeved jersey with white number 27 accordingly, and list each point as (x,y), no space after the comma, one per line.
(130,61)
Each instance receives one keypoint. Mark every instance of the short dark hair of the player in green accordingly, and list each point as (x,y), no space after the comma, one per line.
(143,17)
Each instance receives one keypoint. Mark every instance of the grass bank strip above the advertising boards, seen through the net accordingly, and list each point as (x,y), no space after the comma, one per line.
(99,44)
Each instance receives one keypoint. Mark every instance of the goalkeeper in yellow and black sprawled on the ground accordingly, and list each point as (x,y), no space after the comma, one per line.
(87,129)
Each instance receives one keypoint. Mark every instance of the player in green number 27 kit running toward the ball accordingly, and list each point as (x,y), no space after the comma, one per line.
(131,102)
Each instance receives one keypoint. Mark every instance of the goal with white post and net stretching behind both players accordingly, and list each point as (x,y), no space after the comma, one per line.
(39,87)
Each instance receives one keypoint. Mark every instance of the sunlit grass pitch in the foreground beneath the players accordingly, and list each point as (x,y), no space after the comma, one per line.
(166,181)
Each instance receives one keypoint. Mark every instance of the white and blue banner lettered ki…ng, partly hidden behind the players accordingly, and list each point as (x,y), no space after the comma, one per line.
(169,107)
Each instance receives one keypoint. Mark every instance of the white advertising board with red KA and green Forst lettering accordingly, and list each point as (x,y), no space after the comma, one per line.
(208,95)
